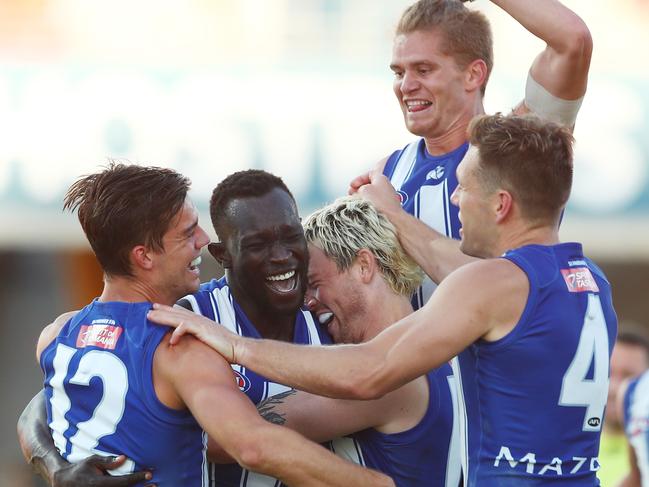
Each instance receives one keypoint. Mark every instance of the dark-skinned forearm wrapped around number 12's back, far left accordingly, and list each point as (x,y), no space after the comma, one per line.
(36,440)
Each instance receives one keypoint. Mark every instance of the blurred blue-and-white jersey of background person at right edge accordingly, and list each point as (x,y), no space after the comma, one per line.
(636,422)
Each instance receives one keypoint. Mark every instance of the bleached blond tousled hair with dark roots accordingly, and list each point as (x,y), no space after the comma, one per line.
(350,224)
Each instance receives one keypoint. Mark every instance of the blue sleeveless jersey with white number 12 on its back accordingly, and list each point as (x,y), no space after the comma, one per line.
(101,399)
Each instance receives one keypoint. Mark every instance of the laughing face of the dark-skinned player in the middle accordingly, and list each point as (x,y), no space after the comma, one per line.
(268,252)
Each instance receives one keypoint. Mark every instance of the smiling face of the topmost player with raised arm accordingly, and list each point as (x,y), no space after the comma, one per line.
(428,84)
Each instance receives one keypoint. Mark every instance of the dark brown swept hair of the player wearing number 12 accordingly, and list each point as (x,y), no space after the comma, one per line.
(124,206)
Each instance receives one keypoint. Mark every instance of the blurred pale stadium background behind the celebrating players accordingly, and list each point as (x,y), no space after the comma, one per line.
(297,87)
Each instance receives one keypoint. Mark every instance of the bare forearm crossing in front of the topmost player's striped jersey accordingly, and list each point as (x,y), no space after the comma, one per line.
(435,253)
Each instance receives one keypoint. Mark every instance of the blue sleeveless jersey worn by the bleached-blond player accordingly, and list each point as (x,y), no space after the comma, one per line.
(426,455)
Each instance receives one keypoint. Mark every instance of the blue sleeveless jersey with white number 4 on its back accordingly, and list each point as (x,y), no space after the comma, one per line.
(533,401)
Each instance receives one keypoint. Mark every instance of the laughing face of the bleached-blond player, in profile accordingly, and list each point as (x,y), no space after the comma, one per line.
(335,297)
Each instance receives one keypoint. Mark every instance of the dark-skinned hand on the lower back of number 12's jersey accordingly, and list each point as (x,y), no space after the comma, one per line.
(93,472)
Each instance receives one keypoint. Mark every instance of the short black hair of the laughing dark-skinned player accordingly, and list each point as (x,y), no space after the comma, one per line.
(250,183)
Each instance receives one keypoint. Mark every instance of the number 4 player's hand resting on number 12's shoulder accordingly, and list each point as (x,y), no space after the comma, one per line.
(185,321)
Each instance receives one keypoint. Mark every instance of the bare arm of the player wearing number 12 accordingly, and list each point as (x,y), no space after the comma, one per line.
(203,380)
